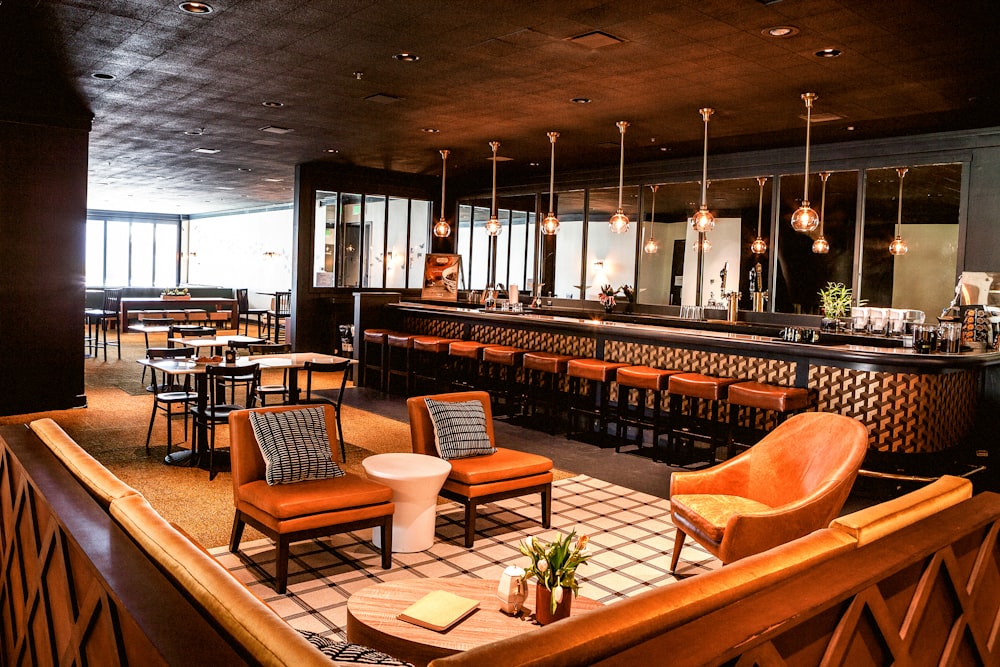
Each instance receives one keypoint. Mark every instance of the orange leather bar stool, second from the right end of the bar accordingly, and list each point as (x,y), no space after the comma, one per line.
(695,402)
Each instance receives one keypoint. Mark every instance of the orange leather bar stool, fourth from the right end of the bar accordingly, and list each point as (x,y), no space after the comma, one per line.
(592,402)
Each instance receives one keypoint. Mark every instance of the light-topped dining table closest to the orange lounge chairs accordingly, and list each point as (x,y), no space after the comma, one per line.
(293,362)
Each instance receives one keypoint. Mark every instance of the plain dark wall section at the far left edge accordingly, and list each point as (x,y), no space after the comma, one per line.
(43,210)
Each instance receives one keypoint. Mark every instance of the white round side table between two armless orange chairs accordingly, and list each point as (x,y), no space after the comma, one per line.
(415,480)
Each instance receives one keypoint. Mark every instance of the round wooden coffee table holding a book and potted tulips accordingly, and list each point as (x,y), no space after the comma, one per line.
(372,611)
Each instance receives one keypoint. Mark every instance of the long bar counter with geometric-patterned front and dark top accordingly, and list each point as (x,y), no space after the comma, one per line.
(911,403)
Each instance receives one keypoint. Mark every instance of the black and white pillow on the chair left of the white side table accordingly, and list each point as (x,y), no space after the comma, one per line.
(295,445)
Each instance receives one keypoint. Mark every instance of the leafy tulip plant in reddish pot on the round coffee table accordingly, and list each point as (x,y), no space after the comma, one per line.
(554,565)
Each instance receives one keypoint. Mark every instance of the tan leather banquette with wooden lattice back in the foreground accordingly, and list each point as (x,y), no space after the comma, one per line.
(918,575)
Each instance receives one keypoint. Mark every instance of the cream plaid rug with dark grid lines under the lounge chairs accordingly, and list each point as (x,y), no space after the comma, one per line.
(631,538)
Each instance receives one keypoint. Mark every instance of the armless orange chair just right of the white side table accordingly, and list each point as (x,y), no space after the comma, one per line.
(482,479)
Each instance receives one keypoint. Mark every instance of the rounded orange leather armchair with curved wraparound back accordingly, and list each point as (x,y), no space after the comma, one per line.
(789,484)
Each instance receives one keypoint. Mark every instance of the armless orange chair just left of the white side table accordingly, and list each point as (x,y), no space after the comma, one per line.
(299,510)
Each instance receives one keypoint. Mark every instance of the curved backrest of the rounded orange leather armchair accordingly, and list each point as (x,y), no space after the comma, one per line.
(808,452)
